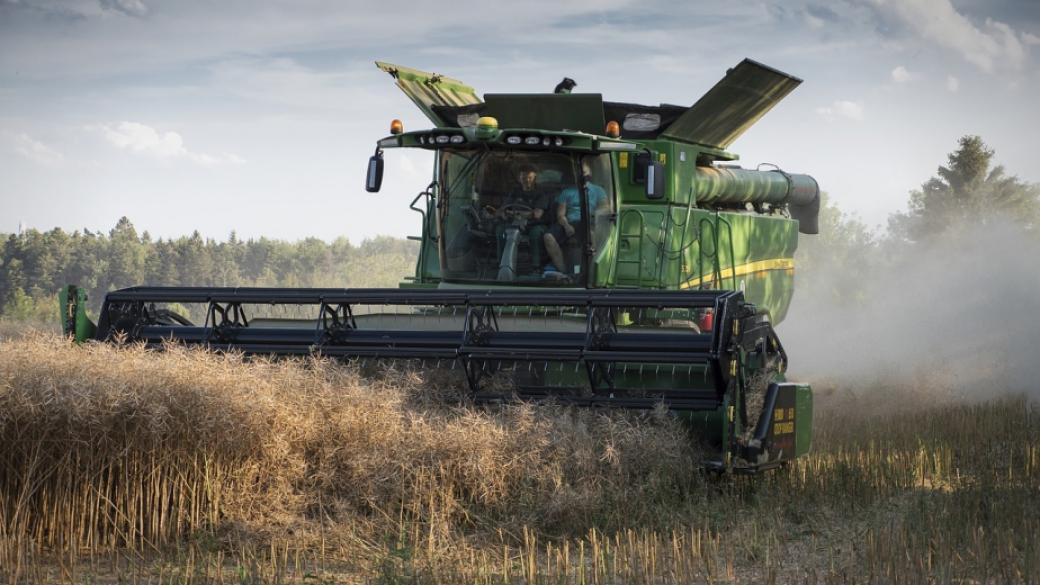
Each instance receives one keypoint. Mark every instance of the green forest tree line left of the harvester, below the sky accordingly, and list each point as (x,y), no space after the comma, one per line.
(36,265)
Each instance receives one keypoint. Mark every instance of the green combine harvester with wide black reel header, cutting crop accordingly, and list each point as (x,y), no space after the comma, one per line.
(573,250)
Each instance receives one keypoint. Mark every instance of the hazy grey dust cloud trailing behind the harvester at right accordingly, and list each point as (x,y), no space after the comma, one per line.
(961,314)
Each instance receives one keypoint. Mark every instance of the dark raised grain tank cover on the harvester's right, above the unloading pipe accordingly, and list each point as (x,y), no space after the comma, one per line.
(733,106)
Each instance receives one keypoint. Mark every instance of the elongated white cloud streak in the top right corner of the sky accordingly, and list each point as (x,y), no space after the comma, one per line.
(992,47)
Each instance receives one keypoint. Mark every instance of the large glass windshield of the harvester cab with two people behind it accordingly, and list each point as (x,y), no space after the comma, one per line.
(523,218)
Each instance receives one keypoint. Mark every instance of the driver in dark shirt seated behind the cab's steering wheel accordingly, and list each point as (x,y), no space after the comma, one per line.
(527,208)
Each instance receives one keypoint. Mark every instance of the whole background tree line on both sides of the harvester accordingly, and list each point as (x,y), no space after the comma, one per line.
(970,190)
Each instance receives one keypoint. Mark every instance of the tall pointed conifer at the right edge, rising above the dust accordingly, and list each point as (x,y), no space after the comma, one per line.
(968,190)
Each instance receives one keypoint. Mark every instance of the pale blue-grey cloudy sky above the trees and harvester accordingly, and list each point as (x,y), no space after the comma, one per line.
(259,117)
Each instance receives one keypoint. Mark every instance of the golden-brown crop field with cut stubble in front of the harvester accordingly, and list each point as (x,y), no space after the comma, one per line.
(121,466)
